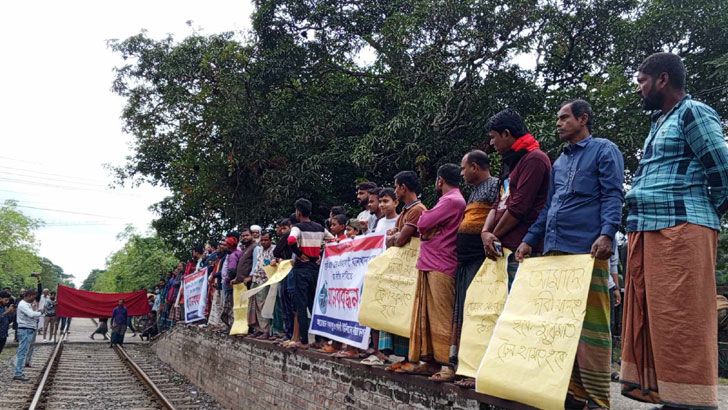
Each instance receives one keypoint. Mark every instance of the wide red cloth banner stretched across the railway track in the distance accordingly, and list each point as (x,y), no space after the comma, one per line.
(81,303)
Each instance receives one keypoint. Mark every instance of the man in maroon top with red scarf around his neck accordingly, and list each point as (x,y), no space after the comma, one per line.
(524,184)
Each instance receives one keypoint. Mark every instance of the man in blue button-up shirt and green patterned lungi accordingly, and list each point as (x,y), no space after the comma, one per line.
(582,213)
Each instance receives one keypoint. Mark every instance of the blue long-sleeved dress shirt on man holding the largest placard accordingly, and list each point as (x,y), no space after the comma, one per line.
(584,199)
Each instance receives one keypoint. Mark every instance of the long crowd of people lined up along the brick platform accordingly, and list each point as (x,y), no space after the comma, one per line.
(532,208)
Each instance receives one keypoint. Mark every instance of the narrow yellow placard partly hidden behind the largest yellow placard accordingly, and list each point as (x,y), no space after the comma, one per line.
(484,303)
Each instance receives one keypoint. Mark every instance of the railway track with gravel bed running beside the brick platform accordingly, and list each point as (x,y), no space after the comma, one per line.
(94,376)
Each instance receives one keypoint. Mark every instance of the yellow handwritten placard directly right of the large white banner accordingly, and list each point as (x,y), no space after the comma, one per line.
(389,290)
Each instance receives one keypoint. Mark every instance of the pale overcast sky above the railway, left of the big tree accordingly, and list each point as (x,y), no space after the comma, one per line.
(61,122)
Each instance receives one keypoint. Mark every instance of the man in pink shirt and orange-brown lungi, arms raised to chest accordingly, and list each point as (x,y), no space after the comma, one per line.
(435,294)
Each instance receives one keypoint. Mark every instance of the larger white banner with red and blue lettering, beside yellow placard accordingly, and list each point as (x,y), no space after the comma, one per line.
(338,291)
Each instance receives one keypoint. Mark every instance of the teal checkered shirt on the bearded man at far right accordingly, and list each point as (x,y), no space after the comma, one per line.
(683,174)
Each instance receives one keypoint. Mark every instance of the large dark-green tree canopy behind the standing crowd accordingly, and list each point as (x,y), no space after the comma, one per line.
(322,94)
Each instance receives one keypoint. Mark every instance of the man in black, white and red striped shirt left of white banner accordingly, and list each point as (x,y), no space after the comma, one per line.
(306,239)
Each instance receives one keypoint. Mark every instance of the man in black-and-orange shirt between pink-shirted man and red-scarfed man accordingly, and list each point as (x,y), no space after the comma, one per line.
(475,169)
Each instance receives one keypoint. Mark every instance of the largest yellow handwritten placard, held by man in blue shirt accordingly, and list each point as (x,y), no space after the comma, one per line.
(532,351)
